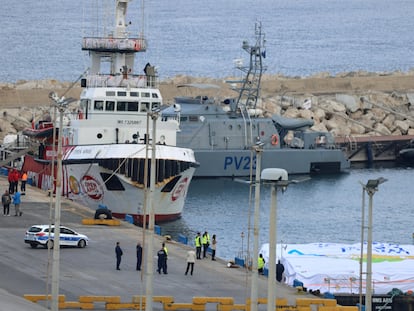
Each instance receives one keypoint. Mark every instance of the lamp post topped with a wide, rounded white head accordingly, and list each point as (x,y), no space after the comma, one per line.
(277,178)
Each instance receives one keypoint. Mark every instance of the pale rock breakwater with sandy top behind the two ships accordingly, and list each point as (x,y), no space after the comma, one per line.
(356,103)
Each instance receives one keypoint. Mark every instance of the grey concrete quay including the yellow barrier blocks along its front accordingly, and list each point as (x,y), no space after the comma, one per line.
(91,271)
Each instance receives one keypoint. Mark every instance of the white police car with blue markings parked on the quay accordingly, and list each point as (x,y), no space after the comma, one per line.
(39,235)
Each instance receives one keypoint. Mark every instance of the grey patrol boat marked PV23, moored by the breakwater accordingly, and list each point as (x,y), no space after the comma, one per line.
(227,135)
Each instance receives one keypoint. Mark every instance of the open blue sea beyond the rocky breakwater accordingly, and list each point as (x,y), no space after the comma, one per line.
(42,40)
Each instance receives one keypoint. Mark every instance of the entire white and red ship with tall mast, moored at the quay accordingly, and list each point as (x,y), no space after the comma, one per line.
(108,135)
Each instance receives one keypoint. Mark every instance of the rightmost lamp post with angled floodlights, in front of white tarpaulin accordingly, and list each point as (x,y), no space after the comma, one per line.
(371,187)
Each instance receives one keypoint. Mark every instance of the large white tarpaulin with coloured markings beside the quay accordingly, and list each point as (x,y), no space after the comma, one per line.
(333,267)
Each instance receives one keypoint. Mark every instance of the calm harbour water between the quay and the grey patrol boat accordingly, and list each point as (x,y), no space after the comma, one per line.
(320,209)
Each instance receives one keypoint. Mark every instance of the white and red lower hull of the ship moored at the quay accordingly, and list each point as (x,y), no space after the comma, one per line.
(92,184)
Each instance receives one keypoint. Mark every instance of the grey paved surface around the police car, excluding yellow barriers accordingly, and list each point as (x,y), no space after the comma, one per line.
(91,271)
